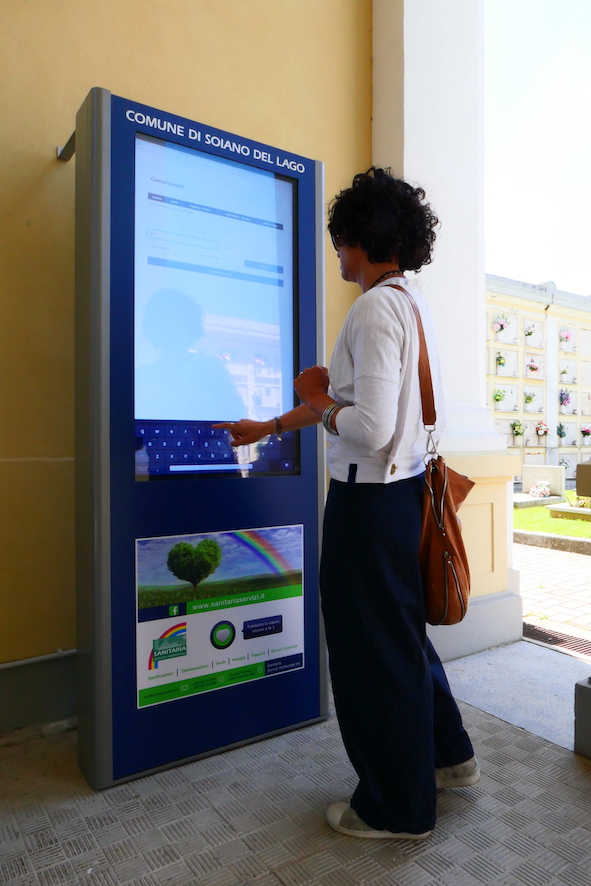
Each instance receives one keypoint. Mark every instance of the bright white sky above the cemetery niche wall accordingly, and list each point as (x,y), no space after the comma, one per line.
(538,141)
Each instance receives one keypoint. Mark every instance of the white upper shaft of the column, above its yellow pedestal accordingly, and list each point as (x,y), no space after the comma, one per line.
(431,53)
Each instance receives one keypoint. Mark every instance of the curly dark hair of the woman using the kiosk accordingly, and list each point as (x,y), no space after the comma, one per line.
(386,217)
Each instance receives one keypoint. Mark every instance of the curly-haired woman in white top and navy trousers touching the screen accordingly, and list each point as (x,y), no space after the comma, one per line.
(400,725)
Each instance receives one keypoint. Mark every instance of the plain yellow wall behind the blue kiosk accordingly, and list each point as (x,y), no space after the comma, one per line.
(293,73)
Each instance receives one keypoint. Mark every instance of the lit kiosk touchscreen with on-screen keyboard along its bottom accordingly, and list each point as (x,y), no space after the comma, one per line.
(215,294)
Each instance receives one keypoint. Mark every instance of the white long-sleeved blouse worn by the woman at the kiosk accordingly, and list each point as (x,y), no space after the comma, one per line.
(374,372)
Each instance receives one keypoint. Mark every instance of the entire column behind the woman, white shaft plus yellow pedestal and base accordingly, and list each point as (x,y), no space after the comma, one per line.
(428,126)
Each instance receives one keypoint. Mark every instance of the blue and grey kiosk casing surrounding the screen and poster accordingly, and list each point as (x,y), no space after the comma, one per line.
(118,741)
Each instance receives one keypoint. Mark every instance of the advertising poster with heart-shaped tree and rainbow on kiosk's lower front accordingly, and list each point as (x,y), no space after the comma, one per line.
(217,609)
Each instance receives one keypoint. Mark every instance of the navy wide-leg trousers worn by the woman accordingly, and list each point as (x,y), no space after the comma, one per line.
(397,716)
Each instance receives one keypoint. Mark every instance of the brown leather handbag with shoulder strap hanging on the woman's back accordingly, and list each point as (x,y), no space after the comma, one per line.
(442,556)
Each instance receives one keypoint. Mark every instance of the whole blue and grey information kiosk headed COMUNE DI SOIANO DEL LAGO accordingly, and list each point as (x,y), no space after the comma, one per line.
(199,299)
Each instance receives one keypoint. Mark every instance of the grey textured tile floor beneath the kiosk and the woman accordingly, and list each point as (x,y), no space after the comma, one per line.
(255,816)
